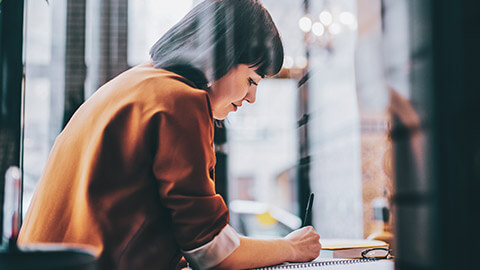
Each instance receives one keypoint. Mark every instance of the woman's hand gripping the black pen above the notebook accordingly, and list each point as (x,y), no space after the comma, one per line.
(305,243)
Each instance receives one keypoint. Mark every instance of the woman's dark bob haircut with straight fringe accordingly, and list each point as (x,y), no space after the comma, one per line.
(217,35)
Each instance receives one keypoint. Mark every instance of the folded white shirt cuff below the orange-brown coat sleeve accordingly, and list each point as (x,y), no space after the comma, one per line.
(215,251)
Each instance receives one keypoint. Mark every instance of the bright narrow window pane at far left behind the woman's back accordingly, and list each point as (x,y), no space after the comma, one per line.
(44,43)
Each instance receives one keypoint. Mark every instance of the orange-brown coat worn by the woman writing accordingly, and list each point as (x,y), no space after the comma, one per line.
(132,174)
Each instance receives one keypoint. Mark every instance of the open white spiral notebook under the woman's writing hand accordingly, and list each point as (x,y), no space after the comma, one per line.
(323,263)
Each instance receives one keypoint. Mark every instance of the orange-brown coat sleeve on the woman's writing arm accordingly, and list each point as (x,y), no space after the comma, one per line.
(183,166)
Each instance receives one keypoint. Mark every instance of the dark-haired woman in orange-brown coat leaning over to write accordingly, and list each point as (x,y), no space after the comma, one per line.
(132,172)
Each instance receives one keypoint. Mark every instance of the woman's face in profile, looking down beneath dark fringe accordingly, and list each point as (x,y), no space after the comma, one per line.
(229,92)
